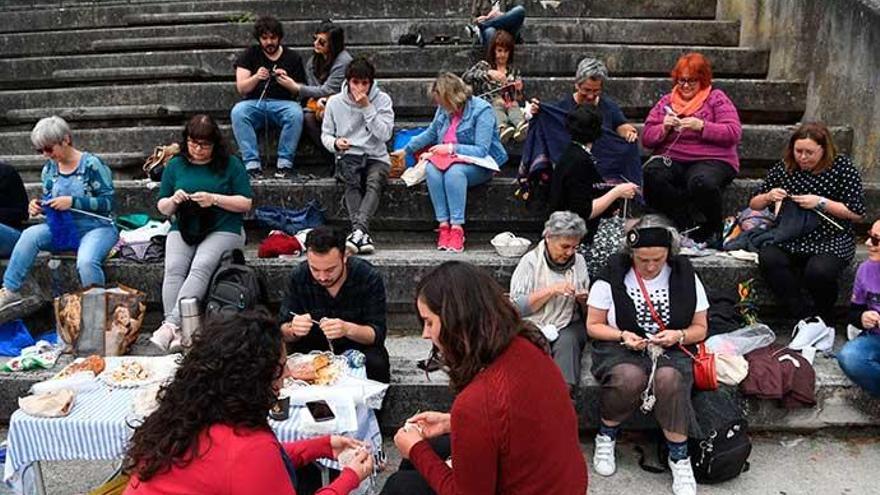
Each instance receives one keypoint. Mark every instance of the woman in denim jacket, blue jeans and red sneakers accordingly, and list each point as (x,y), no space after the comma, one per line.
(465,151)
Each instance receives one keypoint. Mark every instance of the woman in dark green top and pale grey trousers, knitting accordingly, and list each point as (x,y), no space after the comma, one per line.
(207,192)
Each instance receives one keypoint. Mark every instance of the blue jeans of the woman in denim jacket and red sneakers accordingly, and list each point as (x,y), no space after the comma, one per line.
(448,190)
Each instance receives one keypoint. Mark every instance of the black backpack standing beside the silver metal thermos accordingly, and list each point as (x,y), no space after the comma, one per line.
(234,287)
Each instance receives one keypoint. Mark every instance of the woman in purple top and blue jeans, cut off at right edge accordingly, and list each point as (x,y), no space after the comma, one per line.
(860,357)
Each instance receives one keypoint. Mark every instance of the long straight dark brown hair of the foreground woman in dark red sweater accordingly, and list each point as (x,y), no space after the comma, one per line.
(477,321)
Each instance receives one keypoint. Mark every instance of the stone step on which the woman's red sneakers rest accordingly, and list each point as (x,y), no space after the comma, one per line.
(401,264)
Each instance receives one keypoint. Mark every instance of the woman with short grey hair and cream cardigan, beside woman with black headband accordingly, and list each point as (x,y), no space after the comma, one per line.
(549,287)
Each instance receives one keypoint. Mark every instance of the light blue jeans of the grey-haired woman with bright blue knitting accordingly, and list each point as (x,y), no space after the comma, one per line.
(93,248)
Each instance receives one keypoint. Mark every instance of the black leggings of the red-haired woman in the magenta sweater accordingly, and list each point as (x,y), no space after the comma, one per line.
(689,193)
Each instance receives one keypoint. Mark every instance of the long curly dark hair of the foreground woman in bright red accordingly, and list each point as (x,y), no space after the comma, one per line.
(225,378)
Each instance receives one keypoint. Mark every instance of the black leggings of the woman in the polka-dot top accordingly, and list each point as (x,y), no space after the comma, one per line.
(786,273)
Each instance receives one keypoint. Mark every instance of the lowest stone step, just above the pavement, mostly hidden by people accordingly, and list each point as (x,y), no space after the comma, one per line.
(840,403)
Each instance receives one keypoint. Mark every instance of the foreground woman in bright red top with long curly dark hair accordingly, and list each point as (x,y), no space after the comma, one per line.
(210,434)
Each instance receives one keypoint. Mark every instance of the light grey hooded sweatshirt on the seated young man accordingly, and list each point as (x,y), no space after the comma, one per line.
(368,129)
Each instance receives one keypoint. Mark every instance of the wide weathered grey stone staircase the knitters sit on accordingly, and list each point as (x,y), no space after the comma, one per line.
(127,73)
